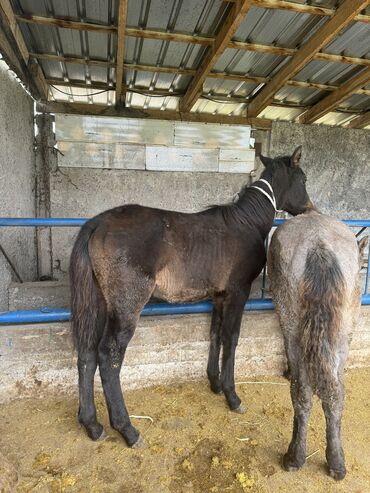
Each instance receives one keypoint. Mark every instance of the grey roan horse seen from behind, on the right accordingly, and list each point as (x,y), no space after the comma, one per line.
(313,265)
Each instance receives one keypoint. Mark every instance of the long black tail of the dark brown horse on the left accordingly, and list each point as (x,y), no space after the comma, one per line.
(87,303)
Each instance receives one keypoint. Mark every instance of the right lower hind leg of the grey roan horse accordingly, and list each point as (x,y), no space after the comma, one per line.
(332,404)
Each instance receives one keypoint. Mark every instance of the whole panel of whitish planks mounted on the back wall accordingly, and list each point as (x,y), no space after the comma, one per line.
(153,145)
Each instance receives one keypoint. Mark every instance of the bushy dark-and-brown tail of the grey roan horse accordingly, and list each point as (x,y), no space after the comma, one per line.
(322,298)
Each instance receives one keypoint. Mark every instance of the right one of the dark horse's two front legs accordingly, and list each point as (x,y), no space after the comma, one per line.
(231,319)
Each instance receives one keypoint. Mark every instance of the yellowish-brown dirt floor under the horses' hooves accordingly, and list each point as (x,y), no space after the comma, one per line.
(194,444)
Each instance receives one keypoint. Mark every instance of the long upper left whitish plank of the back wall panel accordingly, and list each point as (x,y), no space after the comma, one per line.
(103,129)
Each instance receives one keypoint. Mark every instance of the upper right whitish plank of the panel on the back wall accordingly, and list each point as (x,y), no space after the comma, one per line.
(189,134)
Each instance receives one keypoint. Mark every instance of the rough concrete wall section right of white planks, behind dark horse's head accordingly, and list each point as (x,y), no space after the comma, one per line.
(336,161)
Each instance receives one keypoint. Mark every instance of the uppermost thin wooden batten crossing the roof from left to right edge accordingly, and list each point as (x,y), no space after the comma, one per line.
(190,39)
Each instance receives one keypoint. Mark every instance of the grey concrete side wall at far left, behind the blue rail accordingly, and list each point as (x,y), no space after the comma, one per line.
(17,179)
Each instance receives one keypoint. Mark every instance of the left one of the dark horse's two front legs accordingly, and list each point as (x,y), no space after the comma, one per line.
(213,367)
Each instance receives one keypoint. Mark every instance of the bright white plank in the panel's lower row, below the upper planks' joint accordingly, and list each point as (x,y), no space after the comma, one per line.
(161,158)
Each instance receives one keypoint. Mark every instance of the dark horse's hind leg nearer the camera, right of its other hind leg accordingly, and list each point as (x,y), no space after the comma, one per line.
(112,350)
